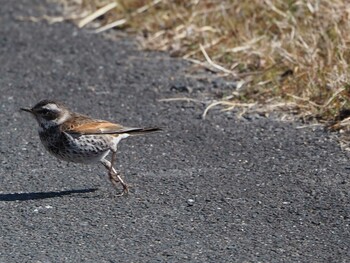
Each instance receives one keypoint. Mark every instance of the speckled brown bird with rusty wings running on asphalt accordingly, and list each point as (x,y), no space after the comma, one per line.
(78,138)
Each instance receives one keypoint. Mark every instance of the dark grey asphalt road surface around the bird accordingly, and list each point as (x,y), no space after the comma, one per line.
(222,189)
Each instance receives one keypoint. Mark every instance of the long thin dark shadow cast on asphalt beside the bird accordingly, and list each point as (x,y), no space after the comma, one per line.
(43,195)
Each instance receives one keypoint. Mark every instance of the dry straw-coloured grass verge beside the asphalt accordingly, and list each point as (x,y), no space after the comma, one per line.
(293,52)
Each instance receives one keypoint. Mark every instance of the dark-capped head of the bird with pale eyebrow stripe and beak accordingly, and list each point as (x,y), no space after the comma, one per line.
(49,113)
